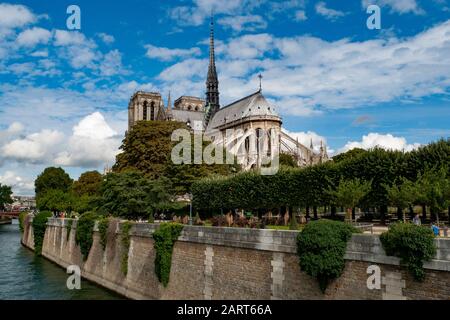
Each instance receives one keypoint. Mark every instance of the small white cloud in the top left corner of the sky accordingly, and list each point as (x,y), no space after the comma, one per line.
(13,16)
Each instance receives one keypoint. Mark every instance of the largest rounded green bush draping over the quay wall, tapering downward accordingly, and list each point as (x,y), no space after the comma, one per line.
(321,248)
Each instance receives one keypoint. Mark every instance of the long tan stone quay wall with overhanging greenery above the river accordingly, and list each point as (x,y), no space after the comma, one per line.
(241,264)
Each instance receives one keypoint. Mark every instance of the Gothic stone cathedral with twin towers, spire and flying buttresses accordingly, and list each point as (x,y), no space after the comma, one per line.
(249,114)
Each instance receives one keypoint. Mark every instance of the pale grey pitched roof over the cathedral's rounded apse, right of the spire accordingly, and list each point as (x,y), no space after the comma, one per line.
(254,105)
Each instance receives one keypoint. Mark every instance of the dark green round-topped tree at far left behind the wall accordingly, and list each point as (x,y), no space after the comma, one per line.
(52,179)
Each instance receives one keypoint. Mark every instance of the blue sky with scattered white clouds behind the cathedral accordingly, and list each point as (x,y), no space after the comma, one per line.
(64,94)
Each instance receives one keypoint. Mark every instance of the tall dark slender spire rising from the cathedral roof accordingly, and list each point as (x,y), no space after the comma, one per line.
(212,83)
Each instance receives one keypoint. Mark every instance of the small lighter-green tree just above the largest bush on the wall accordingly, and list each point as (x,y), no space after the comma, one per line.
(350,192)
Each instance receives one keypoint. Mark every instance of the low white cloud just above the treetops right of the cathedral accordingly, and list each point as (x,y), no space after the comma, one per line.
(384,141)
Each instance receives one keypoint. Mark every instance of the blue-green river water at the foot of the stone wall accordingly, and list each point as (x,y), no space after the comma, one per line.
(23,276)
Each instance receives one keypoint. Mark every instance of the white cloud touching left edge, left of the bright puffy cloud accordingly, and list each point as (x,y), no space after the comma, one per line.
(35,148)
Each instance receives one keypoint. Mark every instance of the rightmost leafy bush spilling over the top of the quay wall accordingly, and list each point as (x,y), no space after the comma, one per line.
(412,244)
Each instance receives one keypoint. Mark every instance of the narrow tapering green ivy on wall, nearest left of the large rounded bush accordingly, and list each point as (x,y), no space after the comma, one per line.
(165,237)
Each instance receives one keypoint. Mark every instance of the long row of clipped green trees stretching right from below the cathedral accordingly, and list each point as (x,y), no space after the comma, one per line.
(367,179)
